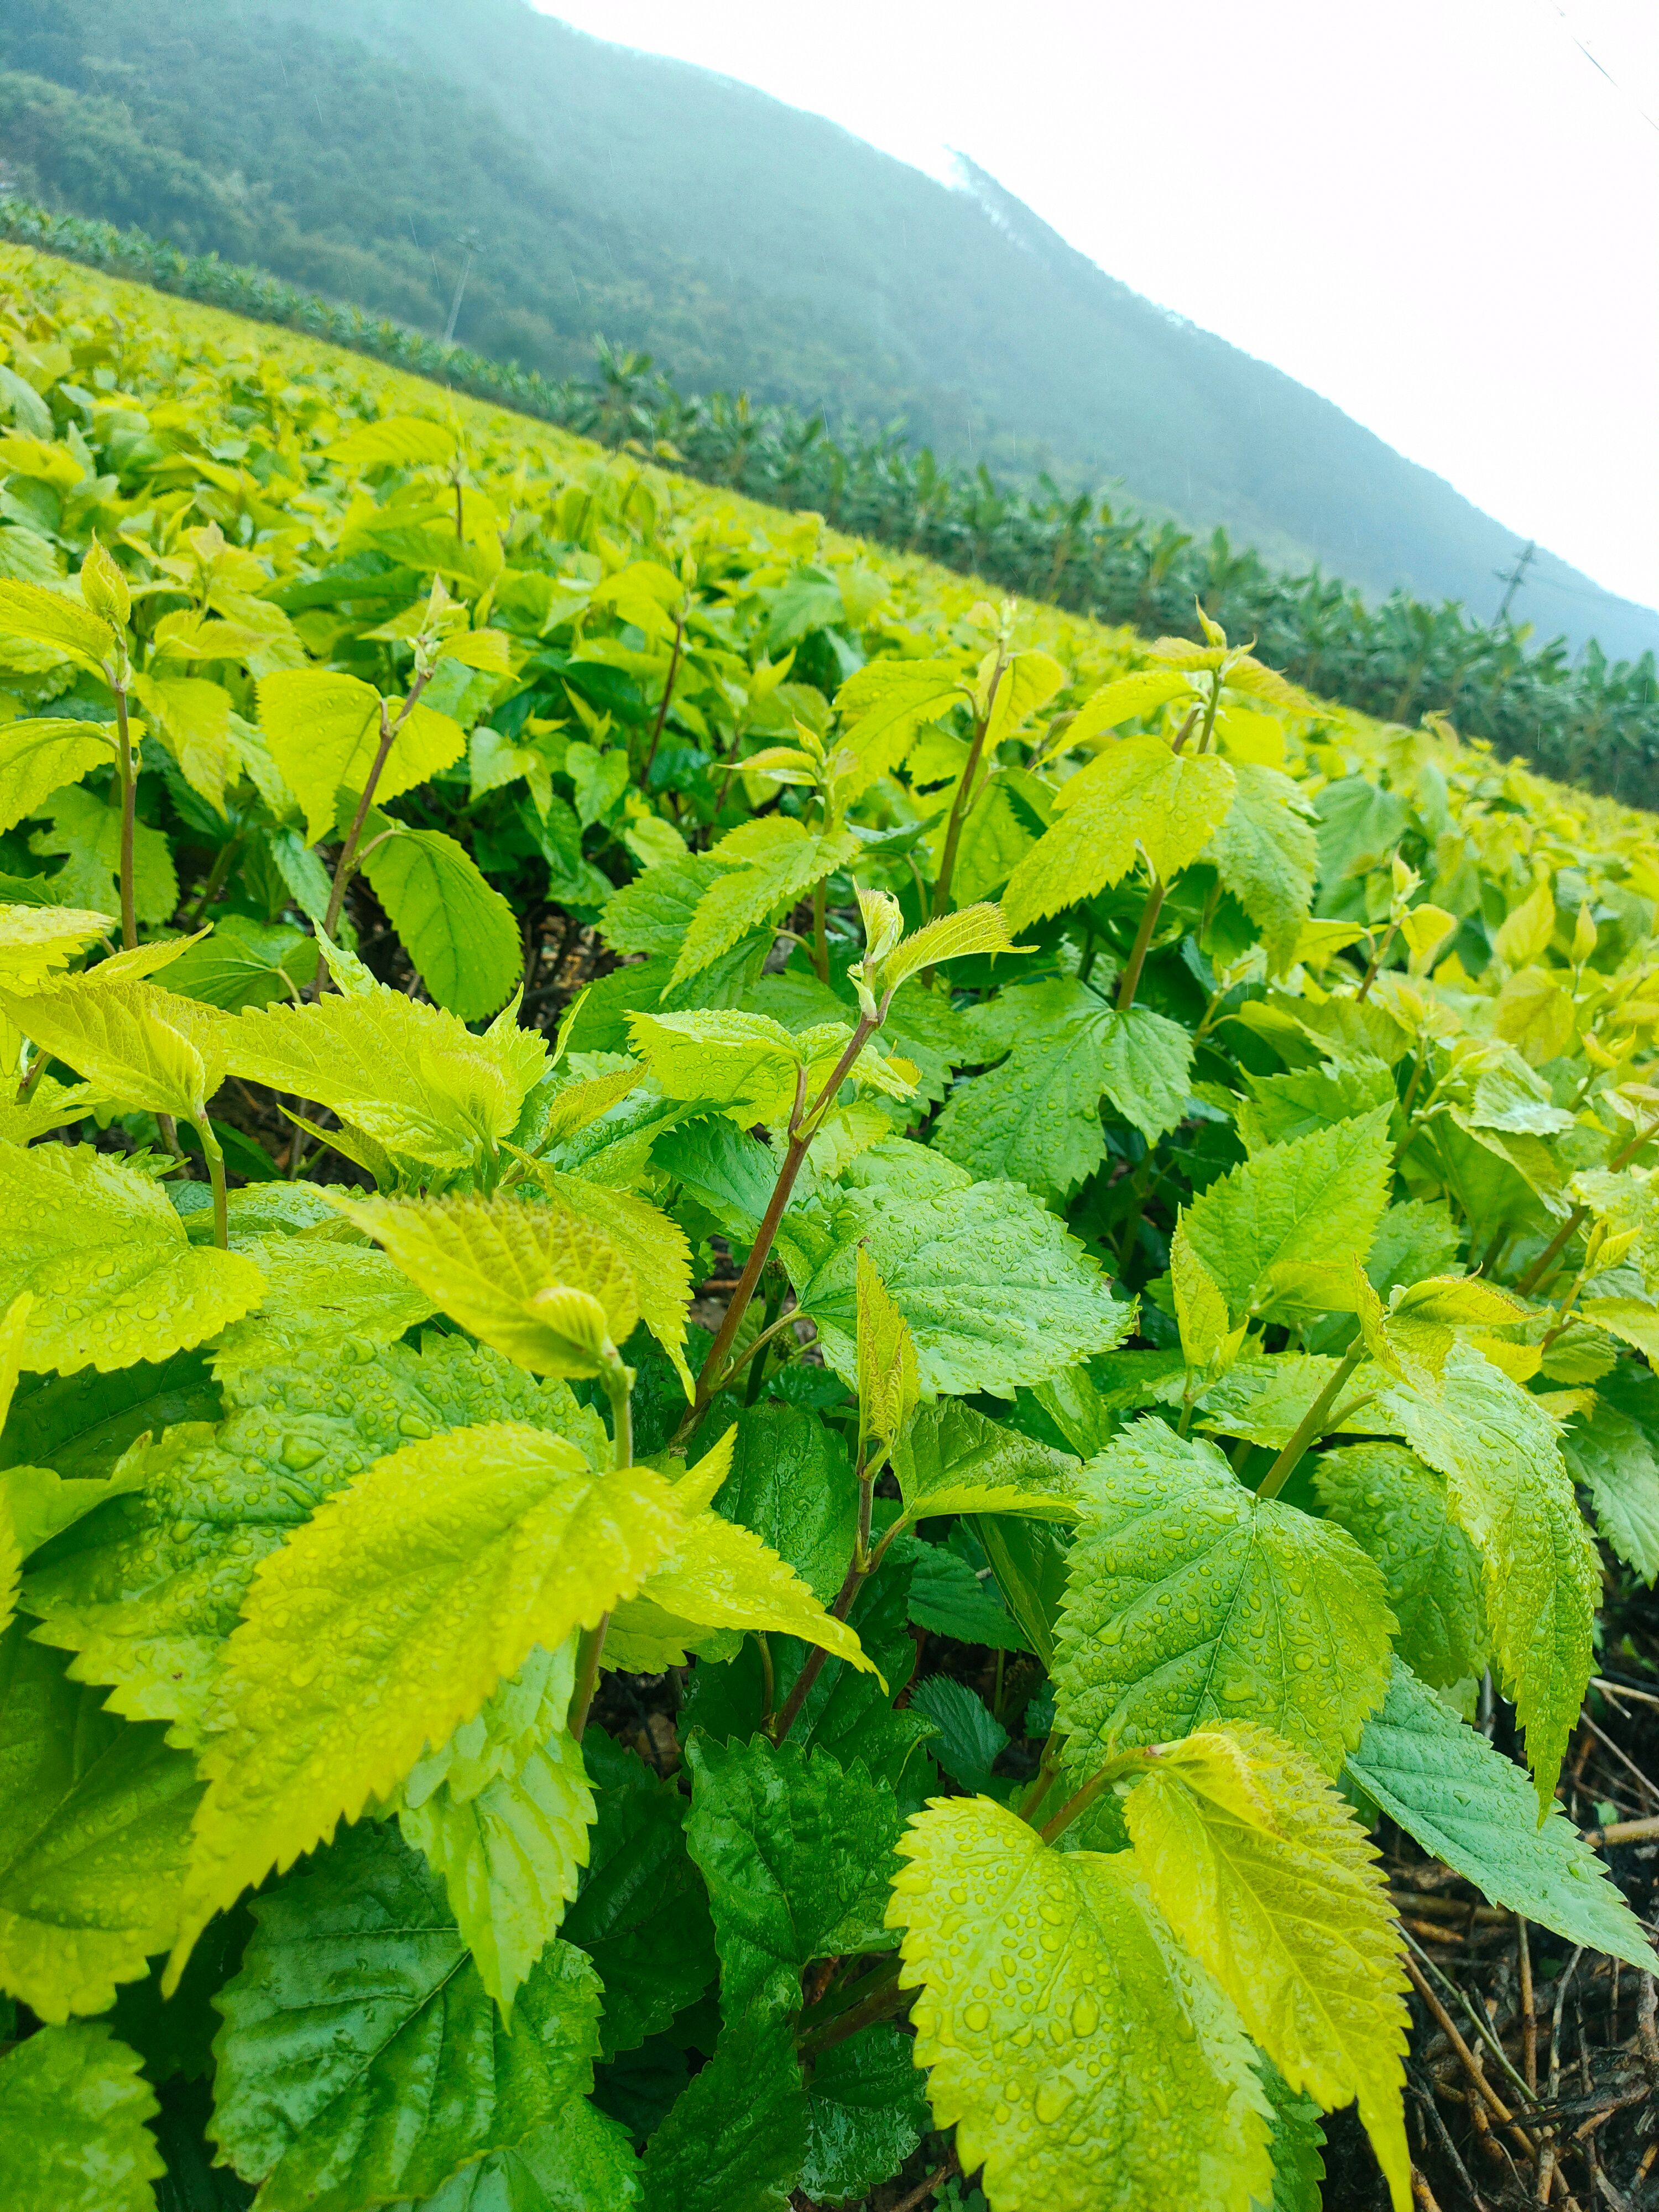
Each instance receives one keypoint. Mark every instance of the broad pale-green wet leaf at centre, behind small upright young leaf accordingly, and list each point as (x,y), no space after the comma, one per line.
(992,1286)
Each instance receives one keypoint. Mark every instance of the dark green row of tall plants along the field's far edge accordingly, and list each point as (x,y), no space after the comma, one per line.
(1587,720)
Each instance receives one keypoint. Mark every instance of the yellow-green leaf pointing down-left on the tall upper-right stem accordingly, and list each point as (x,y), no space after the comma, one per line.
(1134,793)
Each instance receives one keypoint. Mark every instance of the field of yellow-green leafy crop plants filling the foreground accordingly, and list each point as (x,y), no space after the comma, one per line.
(817,1392)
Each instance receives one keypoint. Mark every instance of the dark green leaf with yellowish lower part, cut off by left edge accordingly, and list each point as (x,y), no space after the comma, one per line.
(96,1837)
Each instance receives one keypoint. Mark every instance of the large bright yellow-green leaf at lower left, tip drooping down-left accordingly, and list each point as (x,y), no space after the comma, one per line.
(386,1623)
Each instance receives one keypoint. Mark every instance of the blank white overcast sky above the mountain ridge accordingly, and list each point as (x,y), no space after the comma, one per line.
(1439,213)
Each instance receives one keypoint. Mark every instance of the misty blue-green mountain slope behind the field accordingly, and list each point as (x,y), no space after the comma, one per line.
(353,143)
